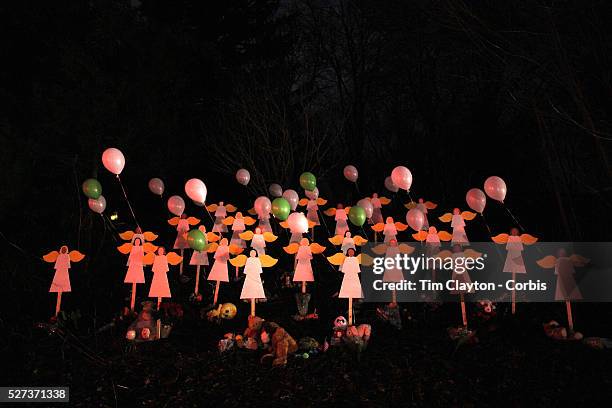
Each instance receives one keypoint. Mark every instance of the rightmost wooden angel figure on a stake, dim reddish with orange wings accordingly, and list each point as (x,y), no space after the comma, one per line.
(566,288)
